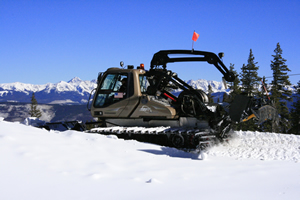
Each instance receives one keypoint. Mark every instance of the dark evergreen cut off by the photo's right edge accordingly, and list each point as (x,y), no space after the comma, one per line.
(295,113)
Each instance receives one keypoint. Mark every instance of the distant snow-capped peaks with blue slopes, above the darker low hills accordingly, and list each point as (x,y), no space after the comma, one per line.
(75,91)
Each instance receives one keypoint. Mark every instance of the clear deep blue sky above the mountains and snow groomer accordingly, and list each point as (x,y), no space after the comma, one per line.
(49,41)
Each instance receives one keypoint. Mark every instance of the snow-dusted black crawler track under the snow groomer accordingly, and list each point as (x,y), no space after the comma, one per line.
(181,138)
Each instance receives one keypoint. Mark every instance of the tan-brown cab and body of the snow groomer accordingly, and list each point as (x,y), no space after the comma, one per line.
(119,107)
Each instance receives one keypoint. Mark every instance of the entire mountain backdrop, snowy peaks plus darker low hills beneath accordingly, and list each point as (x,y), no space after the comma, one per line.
(66,101)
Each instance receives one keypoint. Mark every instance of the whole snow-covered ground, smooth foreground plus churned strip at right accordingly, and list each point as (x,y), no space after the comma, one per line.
(38,164)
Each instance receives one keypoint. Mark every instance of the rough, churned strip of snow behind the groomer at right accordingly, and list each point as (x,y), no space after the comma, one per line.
(263,146)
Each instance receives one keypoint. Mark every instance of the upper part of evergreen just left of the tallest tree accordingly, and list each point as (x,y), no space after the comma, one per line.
(250,79)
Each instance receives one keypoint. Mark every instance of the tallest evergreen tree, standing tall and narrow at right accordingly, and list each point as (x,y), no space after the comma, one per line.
(280,93)
